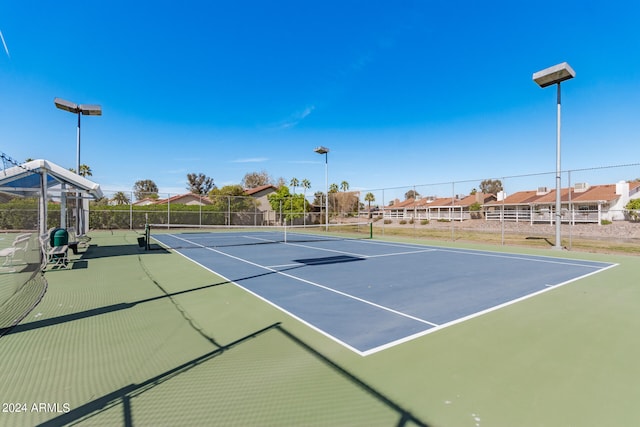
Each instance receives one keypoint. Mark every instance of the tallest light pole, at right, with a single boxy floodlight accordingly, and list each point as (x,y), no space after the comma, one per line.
(547,77)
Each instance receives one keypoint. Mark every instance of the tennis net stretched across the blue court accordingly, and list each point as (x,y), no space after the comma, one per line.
(181,236)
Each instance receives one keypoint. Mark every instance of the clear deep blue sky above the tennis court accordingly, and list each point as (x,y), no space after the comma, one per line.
(403,93)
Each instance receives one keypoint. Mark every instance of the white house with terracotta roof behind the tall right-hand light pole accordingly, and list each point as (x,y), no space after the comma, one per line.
(582,203)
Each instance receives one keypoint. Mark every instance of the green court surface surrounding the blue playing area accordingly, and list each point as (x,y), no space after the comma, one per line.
(132,337)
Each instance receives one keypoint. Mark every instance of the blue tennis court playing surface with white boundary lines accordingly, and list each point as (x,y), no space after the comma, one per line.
(370,295)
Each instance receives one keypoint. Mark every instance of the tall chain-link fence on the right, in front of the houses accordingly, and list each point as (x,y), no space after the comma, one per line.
(517,209)
